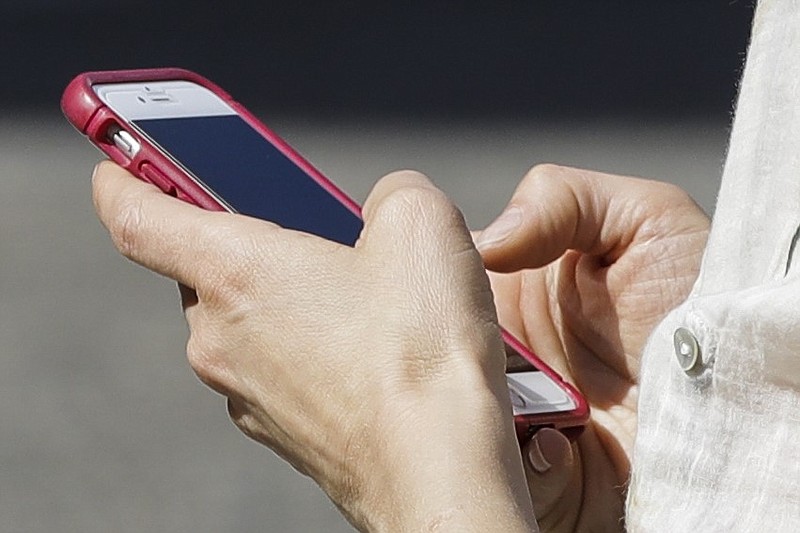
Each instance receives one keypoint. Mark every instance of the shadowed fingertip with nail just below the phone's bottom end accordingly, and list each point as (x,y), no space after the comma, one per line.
(553,472)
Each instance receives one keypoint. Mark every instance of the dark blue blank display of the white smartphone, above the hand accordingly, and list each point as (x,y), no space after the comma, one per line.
(251,175)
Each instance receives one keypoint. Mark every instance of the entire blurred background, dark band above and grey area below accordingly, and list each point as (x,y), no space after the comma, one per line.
(103,426)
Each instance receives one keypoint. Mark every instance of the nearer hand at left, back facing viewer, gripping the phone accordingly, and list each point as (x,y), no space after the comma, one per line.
(376,370)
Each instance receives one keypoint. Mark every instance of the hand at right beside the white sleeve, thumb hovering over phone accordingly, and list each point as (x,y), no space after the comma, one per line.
(585,266)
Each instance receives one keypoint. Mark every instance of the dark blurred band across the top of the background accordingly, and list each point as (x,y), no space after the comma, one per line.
(538,59)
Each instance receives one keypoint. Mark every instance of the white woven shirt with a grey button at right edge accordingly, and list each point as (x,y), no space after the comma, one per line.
(718,446)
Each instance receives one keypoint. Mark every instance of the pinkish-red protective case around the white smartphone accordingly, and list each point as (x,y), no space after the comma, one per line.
(92,117)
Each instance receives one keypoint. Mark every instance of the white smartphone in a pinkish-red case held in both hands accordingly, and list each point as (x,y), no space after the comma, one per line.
(182,133)
